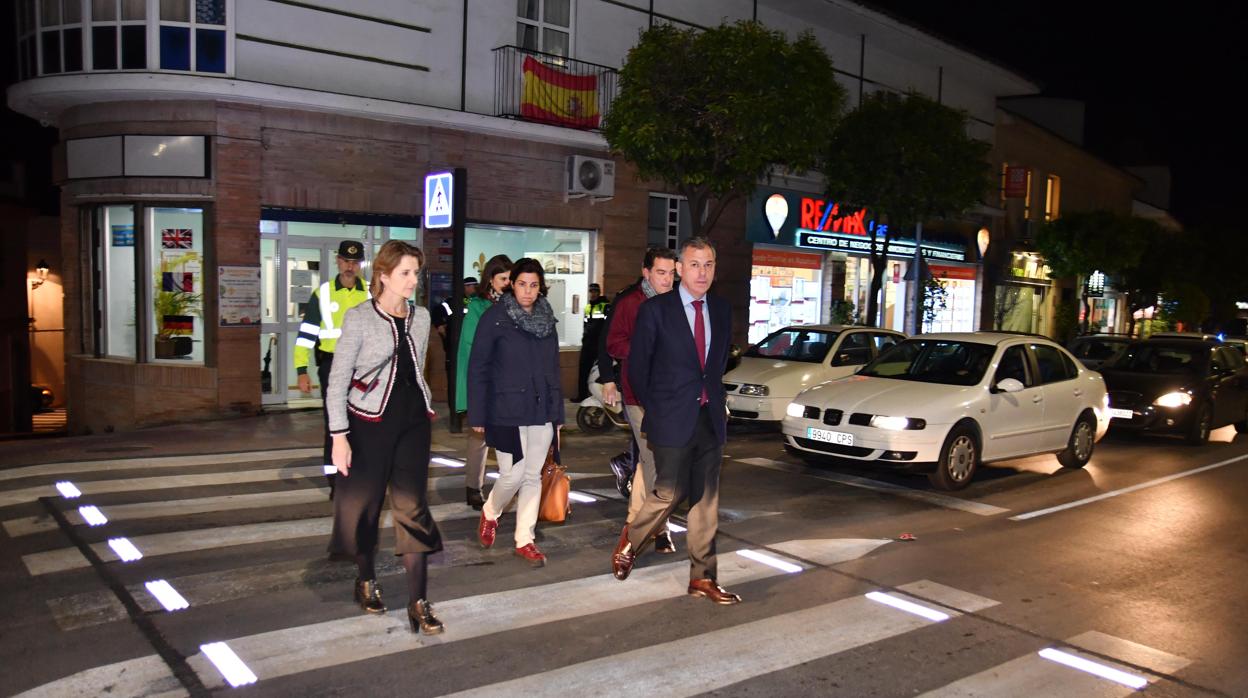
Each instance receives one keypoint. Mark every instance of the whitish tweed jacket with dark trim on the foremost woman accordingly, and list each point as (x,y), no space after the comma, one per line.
(369,338)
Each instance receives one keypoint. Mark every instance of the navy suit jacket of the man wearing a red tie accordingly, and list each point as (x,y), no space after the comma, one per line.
(666,375)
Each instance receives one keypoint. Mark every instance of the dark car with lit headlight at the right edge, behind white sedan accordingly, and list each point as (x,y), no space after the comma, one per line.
(1179,386)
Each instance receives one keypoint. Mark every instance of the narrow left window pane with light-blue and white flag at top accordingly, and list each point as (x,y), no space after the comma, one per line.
(117,288)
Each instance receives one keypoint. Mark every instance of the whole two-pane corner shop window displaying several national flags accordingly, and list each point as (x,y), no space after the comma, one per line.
(150,283)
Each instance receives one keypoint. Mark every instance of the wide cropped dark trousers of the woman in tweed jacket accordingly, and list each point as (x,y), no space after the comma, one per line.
(389,454)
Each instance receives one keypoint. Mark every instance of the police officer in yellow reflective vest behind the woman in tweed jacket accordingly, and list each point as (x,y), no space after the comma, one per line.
(323,327)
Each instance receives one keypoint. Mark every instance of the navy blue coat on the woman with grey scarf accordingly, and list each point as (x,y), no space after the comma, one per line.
(514,376)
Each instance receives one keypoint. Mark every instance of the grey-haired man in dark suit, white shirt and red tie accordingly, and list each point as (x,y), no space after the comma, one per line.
(676,368)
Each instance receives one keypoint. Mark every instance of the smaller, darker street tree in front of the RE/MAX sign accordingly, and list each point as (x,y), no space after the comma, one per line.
(907,159)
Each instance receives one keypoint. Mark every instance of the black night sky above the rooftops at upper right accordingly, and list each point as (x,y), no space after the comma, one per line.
(1160,81)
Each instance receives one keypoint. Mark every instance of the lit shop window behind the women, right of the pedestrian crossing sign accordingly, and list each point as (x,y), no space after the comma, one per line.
(566,255)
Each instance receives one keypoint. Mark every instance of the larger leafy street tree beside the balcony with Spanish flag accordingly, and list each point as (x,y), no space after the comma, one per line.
(711,114)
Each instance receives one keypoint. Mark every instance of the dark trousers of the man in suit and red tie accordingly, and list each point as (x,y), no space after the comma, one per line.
(686,473)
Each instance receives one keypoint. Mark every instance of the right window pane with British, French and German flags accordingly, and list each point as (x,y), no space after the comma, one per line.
(175,242)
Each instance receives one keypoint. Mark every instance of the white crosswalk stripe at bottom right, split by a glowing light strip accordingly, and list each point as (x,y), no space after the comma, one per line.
(1035,676)
